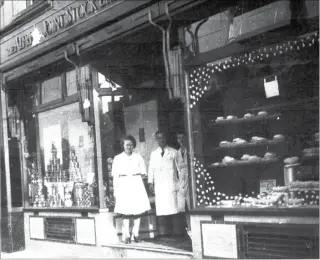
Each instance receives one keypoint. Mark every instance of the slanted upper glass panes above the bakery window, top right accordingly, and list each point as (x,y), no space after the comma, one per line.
(250,17)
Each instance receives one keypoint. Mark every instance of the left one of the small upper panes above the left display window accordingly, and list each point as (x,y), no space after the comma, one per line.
(51,90)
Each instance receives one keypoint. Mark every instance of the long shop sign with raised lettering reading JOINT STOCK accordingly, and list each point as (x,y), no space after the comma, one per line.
(59,21)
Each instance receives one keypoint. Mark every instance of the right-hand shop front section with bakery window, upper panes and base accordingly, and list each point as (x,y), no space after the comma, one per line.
(253,123)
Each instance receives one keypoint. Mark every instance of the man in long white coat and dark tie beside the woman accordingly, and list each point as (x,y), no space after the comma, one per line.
(163,181)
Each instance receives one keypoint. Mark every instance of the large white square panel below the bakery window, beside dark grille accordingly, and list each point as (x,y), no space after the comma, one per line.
(219,240)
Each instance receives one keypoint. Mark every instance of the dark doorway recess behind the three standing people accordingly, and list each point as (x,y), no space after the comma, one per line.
(134,101)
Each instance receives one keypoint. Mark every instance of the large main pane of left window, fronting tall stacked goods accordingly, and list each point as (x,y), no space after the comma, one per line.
(67,160)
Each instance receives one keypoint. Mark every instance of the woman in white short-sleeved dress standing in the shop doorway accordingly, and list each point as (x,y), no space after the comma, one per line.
(130,193)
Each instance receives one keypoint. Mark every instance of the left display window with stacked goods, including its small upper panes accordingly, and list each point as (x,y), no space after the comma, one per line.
(60,146)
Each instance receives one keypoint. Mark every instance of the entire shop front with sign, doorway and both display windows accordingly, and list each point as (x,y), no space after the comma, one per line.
(240,79)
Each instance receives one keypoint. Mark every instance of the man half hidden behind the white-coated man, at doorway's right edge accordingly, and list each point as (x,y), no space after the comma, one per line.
(183,196)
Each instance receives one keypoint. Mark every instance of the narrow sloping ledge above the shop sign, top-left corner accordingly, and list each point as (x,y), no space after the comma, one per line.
(26,15)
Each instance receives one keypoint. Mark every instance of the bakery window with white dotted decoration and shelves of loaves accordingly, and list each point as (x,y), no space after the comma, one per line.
(255,127)
